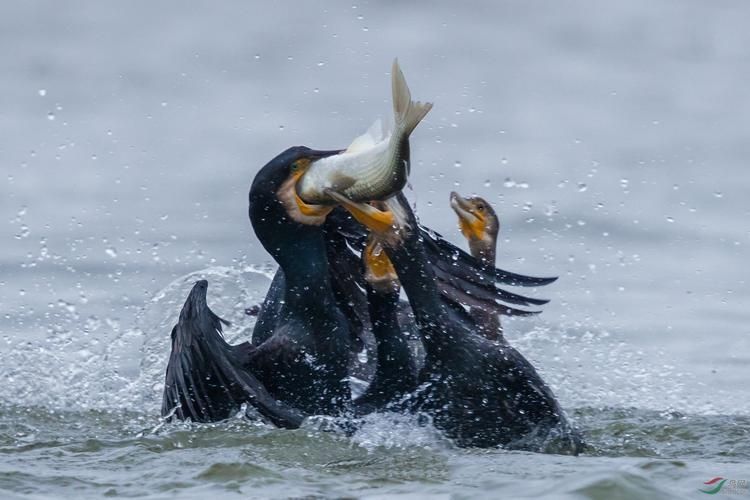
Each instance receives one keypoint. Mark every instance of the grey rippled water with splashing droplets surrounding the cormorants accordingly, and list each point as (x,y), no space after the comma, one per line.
(610,138)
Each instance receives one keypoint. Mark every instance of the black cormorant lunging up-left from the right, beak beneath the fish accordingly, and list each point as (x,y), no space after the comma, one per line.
(479,393)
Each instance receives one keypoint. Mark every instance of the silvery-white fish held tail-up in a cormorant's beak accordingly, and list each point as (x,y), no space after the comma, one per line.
(376,165)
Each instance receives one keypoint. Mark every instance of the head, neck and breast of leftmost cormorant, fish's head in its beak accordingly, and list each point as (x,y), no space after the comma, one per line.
(303,362)
